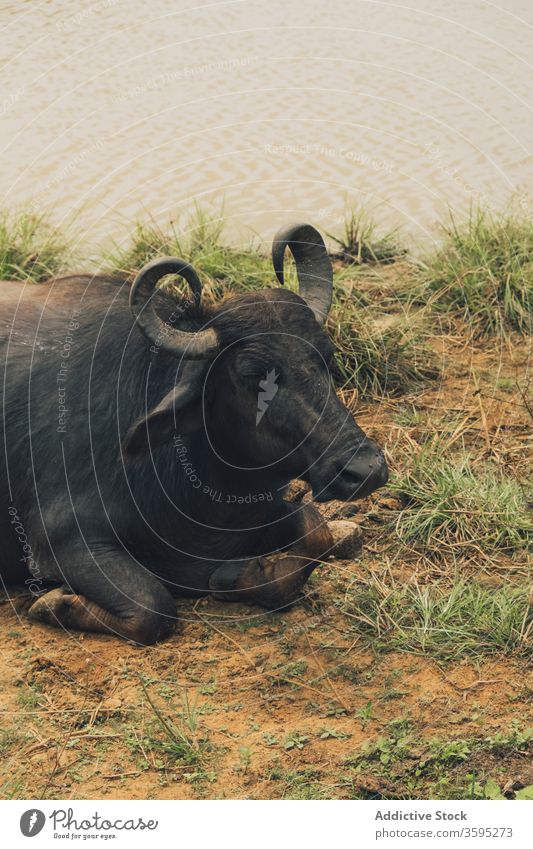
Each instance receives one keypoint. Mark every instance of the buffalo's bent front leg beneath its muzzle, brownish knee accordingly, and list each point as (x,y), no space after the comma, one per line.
(276,580)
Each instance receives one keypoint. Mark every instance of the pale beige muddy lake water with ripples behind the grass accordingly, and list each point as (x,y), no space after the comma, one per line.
(114,111)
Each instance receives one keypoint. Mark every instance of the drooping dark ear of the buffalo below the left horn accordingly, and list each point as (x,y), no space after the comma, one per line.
(180,411)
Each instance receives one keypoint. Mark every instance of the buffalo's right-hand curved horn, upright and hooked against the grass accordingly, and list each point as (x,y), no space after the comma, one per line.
(313,265)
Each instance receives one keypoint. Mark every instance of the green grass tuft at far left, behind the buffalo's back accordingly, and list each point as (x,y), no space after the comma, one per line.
(30,248)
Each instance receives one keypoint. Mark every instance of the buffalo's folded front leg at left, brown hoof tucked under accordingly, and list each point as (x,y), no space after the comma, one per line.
(114,595)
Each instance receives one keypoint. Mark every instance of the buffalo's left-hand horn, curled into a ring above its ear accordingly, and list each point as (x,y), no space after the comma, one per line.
(192,345)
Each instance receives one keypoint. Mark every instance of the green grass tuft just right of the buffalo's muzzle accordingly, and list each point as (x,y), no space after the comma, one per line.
(453,505)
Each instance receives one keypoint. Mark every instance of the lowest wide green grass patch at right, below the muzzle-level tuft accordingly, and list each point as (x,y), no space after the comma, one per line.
(467,619)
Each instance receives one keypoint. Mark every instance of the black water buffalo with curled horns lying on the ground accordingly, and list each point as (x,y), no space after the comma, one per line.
(141,465)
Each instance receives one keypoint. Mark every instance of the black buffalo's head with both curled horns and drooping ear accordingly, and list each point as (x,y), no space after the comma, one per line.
(254,376)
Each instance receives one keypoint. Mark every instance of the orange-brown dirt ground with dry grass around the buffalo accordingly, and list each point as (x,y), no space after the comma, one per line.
(240,703)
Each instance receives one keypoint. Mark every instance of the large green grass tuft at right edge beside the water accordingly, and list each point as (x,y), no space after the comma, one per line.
(482,274)
